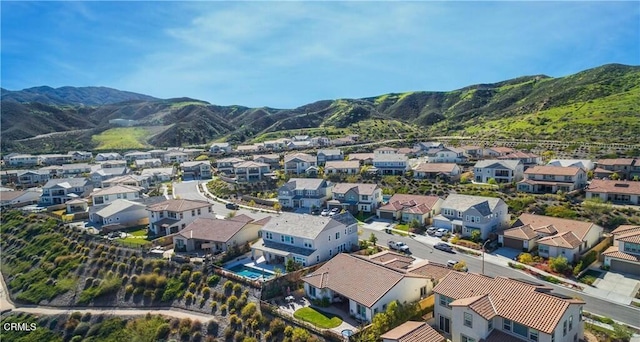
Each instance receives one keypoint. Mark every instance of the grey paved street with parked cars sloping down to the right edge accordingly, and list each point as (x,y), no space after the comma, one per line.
(496,266)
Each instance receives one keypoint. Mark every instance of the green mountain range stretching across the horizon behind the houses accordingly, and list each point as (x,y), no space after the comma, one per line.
(599,104)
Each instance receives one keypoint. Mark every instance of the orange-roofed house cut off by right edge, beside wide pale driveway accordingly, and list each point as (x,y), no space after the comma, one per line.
(624,255)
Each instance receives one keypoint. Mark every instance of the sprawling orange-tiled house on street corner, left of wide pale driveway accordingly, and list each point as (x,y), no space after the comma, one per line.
(552,236)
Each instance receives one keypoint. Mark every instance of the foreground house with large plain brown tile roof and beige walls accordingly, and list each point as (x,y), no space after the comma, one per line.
(368,286)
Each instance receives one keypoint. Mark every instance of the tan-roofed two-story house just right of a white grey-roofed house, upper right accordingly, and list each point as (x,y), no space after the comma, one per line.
(551,179)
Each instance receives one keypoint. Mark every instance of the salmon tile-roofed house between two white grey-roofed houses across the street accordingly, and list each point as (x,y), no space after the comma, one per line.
(407,208)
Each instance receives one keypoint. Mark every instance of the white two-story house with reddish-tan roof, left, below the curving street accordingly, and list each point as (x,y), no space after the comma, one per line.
(171,216)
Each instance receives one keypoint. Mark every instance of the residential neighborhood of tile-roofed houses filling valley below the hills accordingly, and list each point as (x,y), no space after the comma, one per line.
(315,206)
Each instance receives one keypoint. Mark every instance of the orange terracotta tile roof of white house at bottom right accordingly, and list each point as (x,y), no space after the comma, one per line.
(525,303)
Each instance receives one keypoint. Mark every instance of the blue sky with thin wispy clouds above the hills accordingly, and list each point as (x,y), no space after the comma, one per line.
(286,54)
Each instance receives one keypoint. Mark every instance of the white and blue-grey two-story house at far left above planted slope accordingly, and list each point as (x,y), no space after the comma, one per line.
(62,190)
